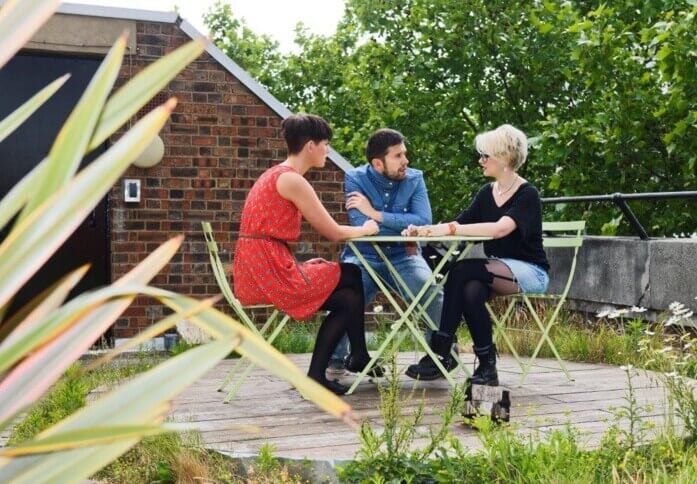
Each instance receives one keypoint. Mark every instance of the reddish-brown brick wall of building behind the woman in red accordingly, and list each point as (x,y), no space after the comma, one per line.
(218,141)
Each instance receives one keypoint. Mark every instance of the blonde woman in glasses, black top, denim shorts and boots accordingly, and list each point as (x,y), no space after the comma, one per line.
(509,211)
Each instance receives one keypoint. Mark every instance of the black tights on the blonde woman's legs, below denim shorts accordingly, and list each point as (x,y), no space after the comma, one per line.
(469,285)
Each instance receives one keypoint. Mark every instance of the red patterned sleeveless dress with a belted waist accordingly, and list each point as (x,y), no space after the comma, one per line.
(264,269)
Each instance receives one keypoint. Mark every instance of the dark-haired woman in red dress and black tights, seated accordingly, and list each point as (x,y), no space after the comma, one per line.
(266,272)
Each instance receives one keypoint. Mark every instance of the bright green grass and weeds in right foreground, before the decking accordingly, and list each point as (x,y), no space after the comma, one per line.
(388,456)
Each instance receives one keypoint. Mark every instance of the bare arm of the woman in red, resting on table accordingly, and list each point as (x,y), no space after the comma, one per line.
(298,190)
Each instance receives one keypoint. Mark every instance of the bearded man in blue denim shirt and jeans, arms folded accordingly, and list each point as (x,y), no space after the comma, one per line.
(395,196)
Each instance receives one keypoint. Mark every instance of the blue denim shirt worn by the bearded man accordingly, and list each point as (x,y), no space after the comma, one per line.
(401,202)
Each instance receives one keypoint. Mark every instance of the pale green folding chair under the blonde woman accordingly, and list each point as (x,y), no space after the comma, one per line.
(557,234)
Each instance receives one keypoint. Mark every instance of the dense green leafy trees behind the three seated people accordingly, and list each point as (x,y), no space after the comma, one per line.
(608,92)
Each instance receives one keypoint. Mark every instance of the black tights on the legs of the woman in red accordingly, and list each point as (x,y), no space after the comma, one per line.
(346,315)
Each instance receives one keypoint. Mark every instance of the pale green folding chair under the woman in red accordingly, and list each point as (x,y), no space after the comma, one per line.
(241,312)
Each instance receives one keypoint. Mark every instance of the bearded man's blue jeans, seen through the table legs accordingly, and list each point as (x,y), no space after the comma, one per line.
(414,271)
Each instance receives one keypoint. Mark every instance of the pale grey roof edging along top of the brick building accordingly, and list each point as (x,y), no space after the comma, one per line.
(231,66)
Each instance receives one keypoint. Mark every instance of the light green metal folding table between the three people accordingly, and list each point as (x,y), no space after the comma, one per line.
(415,310)
